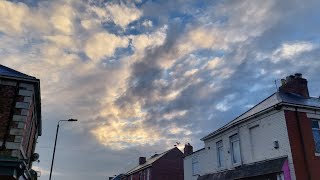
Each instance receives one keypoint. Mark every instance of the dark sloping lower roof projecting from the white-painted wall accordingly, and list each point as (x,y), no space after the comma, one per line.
(247,171)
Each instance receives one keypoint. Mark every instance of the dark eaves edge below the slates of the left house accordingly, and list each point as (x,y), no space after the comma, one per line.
(37,96)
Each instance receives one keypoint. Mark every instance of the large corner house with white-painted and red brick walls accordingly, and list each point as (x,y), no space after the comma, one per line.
(278,139)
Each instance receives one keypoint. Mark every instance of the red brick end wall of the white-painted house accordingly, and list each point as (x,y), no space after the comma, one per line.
(307,163)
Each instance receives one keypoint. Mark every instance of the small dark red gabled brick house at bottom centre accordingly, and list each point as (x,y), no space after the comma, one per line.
(165,166)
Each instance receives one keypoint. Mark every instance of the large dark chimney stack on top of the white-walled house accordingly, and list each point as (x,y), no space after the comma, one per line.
(295,84)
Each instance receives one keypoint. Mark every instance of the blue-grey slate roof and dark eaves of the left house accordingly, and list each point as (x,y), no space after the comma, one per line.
(8,73)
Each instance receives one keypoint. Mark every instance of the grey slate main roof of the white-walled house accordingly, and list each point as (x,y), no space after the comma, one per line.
(272,101)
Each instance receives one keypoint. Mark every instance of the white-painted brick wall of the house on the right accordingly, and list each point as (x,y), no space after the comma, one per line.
(256,141)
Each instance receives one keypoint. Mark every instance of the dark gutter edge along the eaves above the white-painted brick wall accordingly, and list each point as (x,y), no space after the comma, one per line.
(230,124)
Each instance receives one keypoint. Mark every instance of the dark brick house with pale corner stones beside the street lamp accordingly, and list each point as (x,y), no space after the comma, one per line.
(20,124)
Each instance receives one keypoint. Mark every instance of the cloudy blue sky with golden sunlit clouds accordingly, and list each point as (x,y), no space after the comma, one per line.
(142,75)
